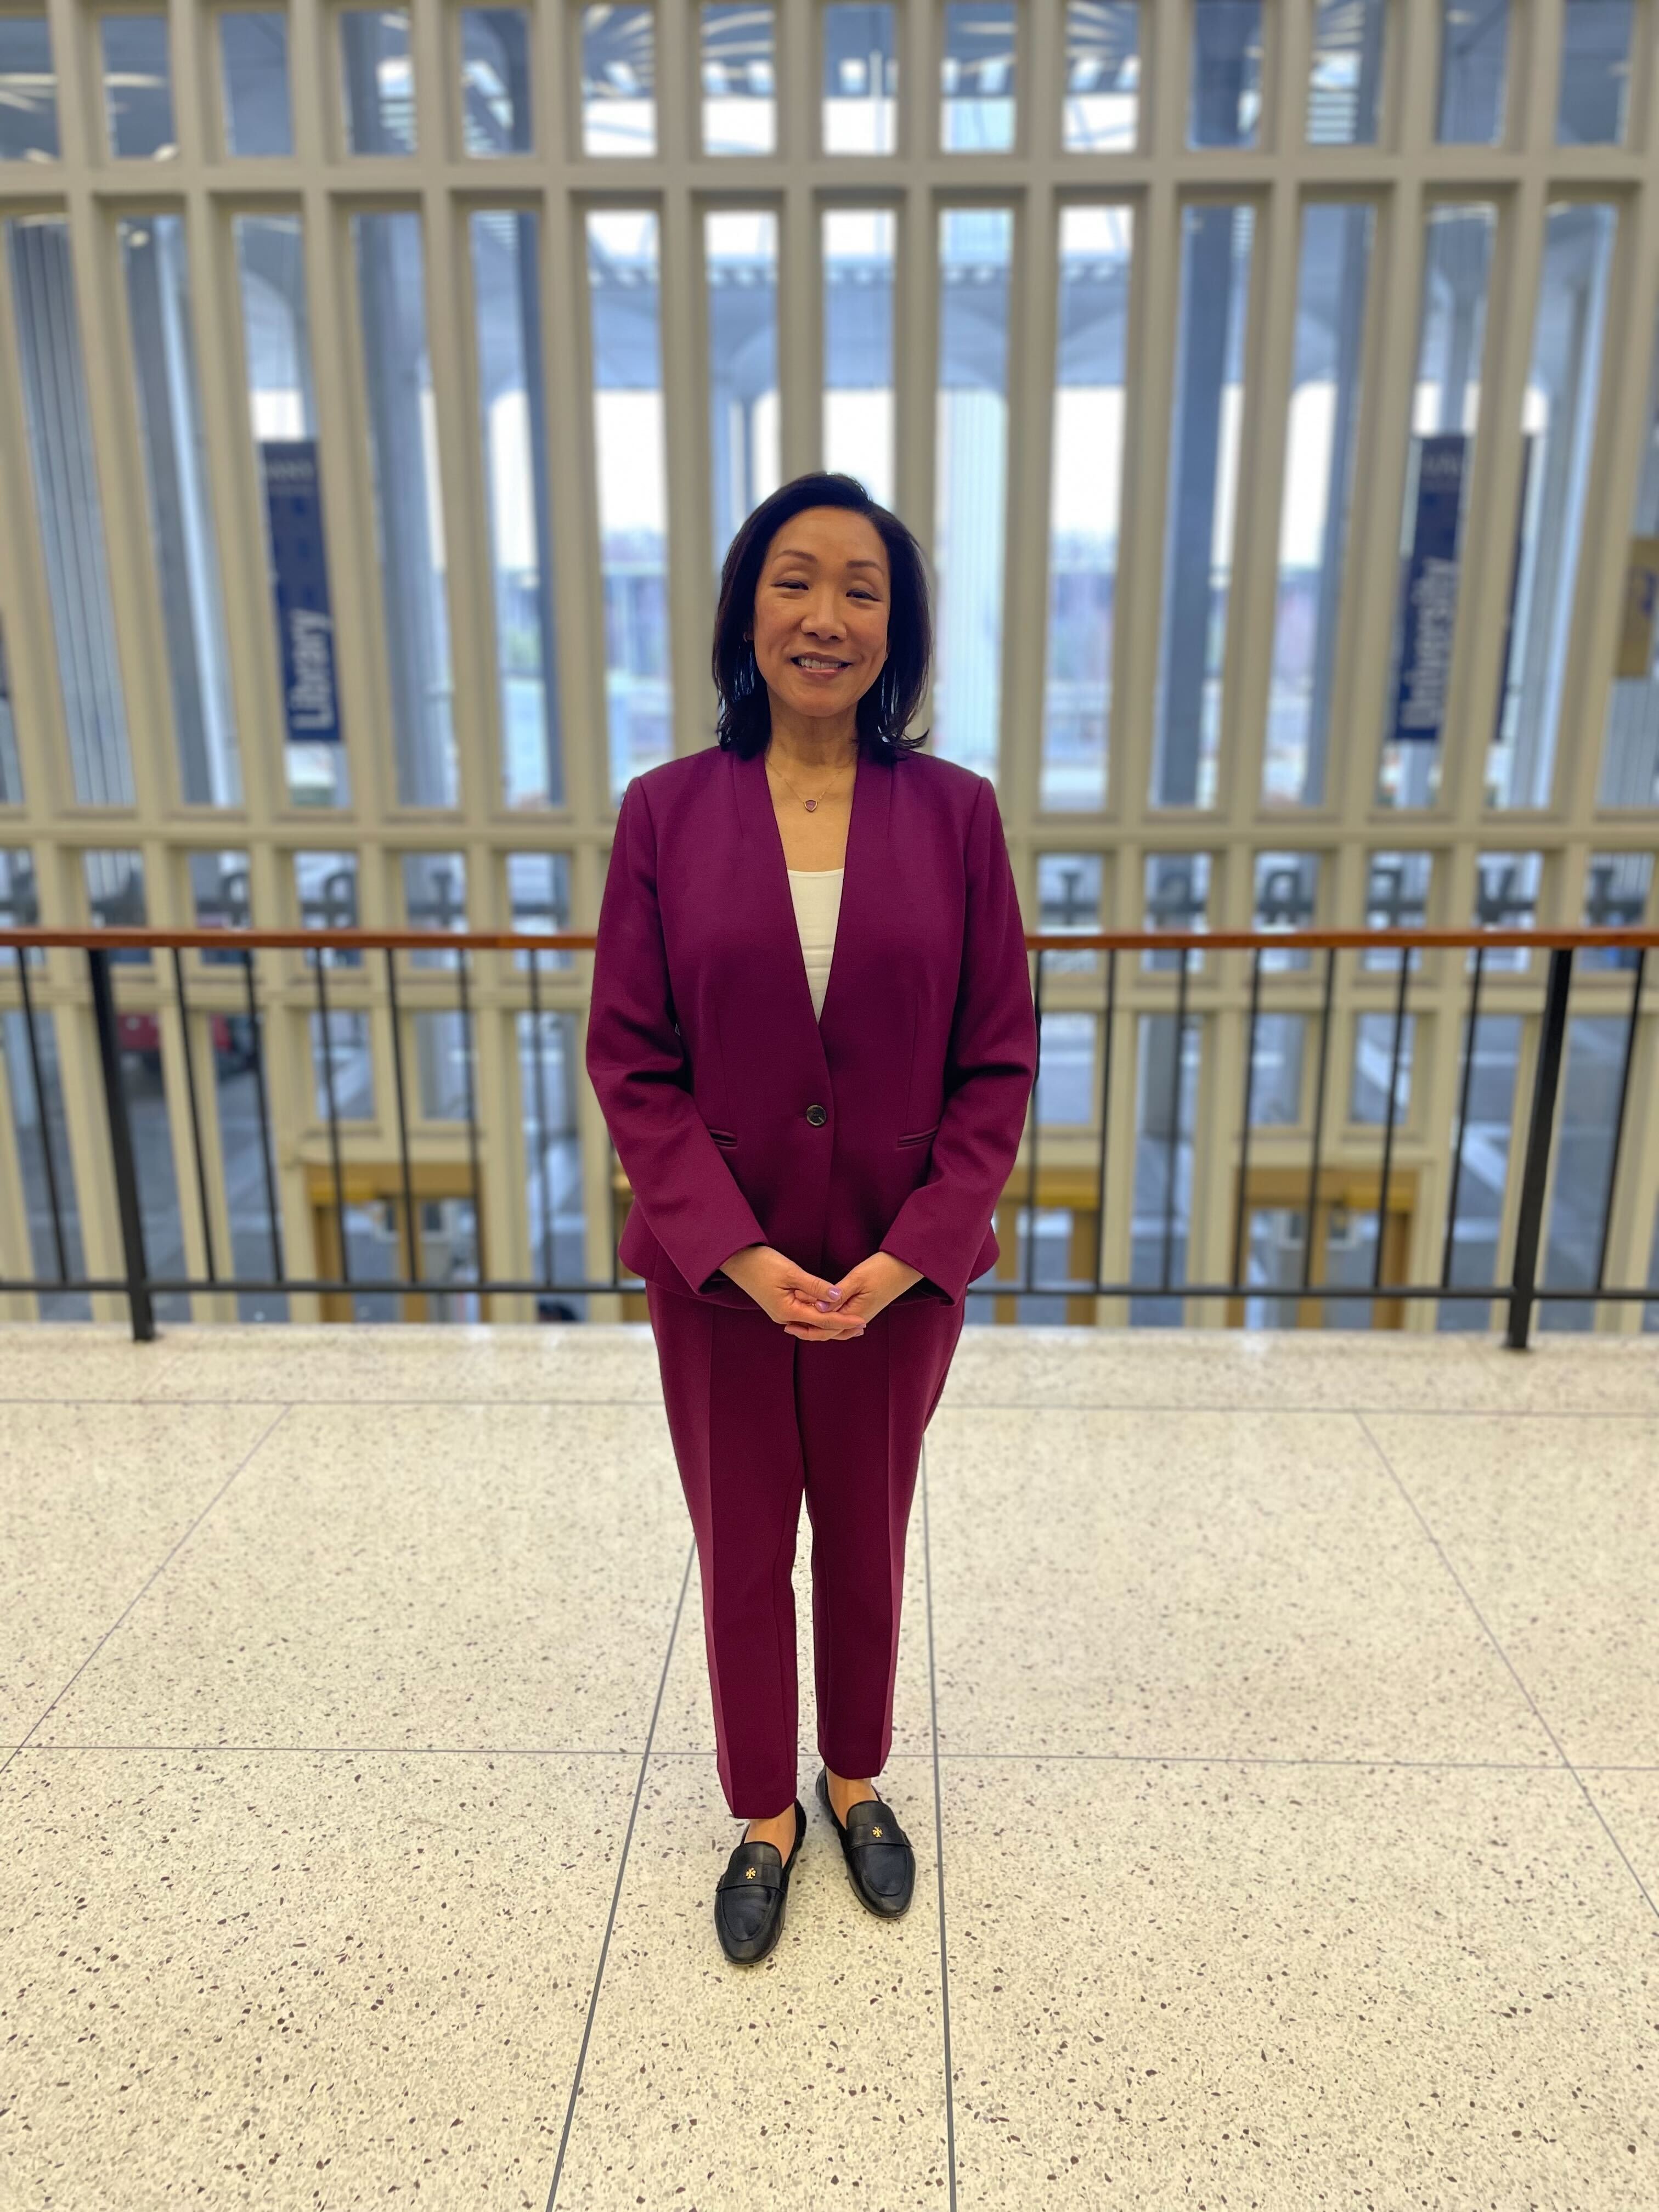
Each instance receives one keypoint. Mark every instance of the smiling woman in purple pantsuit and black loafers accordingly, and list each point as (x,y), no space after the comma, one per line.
(813,1041)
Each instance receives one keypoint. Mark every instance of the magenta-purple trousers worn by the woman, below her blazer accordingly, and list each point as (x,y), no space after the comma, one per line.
(760,1421)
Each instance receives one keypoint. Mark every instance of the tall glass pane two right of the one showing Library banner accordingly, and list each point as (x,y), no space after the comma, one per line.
(512,386)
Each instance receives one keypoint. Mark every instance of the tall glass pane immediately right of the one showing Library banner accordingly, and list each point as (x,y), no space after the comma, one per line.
(408,505)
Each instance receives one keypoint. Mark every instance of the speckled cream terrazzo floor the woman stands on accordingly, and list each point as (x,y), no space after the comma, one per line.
(1277,1729)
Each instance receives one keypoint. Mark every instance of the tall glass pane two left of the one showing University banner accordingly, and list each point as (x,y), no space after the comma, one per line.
(1204,477)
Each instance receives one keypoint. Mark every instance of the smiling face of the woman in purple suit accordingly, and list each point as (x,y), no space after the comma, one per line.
(822,596)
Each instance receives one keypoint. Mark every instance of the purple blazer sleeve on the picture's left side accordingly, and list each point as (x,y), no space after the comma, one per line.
(638,1067)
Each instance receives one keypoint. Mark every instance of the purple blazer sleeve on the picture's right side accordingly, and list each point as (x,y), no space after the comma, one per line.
(990,1072)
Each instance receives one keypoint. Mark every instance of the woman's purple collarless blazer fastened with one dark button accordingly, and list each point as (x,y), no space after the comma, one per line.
(740,1118)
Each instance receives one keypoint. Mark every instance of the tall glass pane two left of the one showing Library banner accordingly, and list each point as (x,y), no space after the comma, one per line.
(70,510)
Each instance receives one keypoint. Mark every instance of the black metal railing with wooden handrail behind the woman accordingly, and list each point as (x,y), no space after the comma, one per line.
(1521,1291)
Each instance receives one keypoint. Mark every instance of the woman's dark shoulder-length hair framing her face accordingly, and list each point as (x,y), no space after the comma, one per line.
(886,709)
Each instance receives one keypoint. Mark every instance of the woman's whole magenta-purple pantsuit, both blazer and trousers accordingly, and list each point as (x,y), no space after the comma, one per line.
(888,1125)
